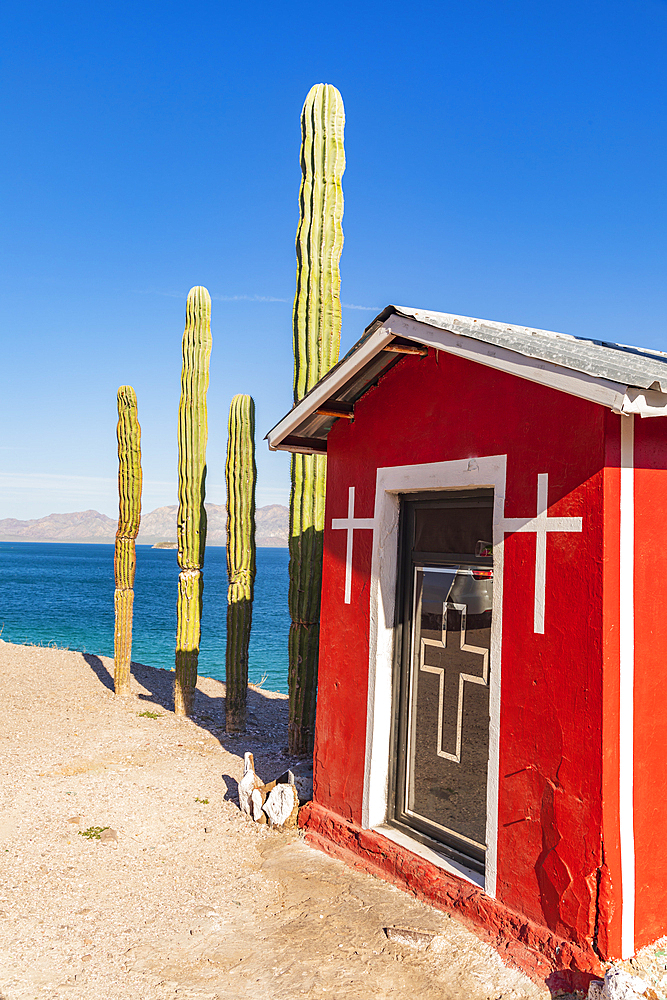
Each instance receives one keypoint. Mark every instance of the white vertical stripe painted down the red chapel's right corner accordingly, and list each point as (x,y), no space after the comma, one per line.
(627,686)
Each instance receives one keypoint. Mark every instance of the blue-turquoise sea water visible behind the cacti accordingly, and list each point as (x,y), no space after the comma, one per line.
(62,595)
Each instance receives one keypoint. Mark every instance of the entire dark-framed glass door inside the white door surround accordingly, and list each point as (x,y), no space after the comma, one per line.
(444,673)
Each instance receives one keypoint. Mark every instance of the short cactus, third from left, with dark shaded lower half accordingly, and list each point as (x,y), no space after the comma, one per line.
(240,474)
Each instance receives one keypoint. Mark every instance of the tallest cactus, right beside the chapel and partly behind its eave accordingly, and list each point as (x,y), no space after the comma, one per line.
(316,327)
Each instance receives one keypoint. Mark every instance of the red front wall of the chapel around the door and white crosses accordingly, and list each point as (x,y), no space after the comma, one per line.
(550,819)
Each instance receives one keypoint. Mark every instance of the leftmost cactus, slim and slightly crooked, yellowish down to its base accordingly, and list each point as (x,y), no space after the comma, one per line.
(128,433)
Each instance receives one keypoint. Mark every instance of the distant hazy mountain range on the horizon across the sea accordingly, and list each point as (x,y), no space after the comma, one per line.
(157,526)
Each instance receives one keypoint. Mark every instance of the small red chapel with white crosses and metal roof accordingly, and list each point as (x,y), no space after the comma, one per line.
(491,718)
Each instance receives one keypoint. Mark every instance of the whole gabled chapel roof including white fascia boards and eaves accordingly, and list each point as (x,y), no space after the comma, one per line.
(595,369)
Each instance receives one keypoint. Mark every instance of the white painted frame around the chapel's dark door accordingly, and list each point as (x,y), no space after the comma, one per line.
(470,473)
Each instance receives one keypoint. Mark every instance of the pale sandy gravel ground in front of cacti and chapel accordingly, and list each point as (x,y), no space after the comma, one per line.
(187,898)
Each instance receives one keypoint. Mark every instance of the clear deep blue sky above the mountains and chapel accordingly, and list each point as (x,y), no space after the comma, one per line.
(504,160)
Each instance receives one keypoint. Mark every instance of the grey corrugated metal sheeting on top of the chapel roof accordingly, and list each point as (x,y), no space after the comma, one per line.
(631,366)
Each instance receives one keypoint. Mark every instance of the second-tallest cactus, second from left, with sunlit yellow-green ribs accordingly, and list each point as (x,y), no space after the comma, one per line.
(191,524)
